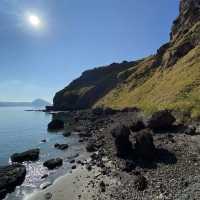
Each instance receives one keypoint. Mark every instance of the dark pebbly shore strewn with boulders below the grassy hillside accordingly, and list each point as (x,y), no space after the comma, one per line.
(139,157)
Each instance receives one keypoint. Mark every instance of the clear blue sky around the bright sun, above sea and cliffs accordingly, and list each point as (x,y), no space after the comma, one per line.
(74,35)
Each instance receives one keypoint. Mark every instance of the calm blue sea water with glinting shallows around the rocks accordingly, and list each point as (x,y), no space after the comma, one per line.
(21,130)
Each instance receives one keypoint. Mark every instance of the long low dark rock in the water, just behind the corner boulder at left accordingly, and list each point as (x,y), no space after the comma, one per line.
(30,155)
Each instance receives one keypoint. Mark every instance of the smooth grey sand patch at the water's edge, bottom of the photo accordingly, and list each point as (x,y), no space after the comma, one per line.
(80,184)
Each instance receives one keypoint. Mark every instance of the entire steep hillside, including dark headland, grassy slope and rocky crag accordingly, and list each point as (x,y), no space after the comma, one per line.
(168,79)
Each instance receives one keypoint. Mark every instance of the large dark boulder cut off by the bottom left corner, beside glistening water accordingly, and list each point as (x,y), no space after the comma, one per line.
(10,177)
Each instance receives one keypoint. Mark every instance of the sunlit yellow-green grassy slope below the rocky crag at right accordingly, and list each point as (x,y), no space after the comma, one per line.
(175,87)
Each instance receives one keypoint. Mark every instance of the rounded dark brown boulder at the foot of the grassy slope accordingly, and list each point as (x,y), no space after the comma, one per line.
(161,120)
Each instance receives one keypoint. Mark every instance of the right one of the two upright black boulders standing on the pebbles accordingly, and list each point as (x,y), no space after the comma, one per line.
(144,145)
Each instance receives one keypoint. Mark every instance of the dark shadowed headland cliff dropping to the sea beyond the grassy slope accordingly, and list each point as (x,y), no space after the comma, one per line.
(90,87)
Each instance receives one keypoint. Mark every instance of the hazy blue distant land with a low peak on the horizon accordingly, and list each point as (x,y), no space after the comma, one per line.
(35,103)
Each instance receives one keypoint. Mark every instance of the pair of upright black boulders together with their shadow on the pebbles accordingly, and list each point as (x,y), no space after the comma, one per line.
(143,153)
